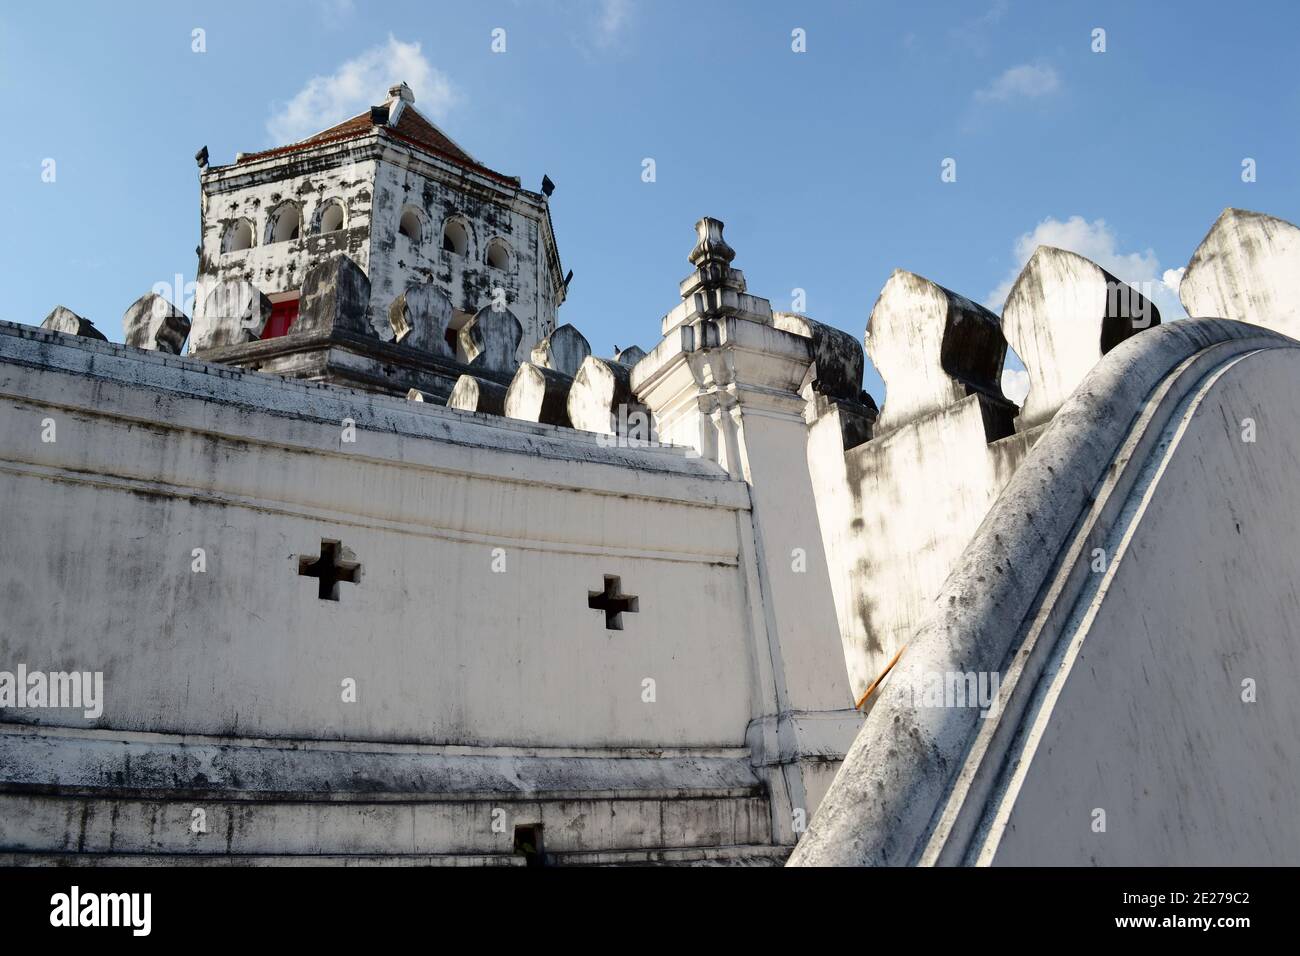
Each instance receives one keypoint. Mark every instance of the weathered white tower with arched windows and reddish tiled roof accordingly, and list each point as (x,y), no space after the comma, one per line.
(409,206)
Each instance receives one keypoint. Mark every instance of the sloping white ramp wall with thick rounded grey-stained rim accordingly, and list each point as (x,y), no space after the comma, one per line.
(1136,596)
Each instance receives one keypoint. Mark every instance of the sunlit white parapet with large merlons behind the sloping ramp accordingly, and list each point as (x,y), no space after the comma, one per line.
(898,511)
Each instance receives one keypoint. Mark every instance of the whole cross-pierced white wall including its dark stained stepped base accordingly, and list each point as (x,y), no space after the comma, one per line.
(482,669)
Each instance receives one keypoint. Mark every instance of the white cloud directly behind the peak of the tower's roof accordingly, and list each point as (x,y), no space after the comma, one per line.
(359,84)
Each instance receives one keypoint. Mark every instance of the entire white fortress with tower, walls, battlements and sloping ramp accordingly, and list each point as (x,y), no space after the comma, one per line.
(389,569)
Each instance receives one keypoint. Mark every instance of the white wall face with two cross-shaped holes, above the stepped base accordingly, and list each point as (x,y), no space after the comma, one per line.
(101,525)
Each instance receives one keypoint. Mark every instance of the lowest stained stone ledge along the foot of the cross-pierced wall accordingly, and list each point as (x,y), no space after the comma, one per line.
(391,828)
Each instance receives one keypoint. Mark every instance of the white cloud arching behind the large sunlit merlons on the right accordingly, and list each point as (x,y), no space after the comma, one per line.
(1098,243)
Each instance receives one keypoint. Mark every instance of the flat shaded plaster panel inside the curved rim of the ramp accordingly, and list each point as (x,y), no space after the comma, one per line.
(1143,715)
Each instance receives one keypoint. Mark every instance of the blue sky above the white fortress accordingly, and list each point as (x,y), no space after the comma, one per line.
(825,165)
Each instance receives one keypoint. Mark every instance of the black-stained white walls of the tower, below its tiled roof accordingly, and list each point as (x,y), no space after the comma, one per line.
(509,258)
